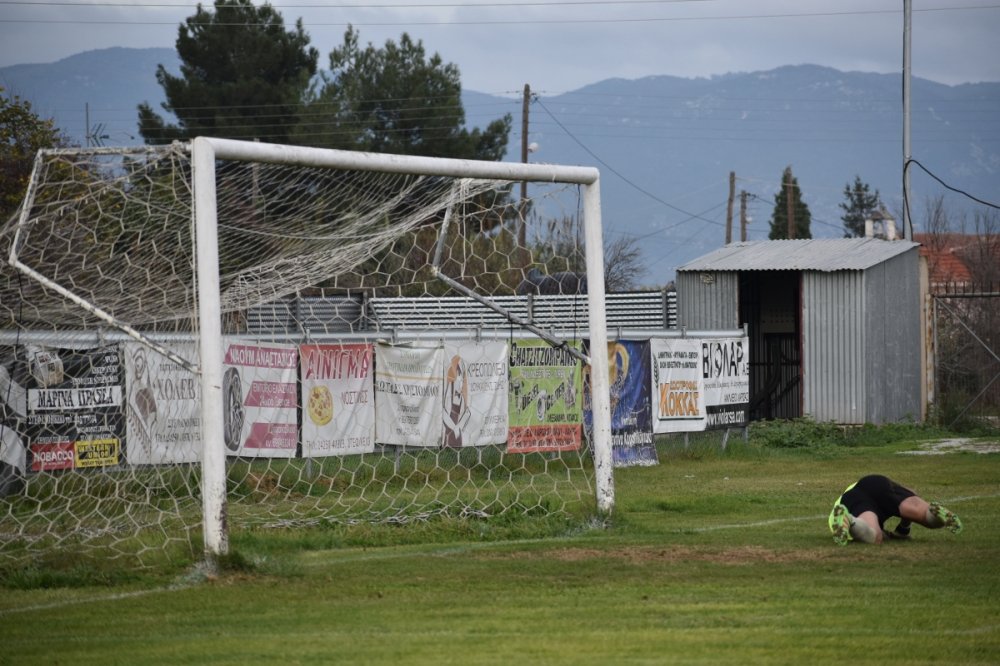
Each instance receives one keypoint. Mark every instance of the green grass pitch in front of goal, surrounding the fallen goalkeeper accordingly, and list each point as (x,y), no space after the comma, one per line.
(712,557)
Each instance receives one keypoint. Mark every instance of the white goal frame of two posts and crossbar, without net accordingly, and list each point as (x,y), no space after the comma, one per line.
(206,151)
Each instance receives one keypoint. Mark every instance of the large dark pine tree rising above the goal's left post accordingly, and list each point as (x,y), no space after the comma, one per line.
(243,76)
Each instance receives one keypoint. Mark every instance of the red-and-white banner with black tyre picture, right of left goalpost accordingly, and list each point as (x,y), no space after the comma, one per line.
(260,393)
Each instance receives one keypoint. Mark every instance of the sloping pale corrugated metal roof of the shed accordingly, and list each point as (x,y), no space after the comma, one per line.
(817,254)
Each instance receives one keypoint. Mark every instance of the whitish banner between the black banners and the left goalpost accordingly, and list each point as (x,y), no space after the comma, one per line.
(163,405)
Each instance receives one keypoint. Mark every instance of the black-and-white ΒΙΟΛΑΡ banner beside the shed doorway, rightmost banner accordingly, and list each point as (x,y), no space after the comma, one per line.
(725,369)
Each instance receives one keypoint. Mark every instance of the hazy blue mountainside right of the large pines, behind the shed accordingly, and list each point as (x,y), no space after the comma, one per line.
(665,147)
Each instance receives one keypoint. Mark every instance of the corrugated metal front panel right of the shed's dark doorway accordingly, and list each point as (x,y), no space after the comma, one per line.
(833,346)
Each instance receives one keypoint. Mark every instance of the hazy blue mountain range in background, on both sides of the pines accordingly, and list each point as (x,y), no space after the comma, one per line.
(665,145)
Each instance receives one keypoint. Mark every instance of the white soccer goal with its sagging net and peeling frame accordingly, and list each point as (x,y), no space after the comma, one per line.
(163,384)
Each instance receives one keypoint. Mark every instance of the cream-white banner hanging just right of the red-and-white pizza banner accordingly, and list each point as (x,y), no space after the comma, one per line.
(408,395)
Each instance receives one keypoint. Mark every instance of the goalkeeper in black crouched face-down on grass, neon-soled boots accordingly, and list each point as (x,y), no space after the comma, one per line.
(861,511)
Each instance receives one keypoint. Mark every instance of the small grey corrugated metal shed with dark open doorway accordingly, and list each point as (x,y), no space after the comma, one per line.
(835,325)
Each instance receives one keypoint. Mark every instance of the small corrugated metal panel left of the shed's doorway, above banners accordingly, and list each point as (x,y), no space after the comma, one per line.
(708,301)
